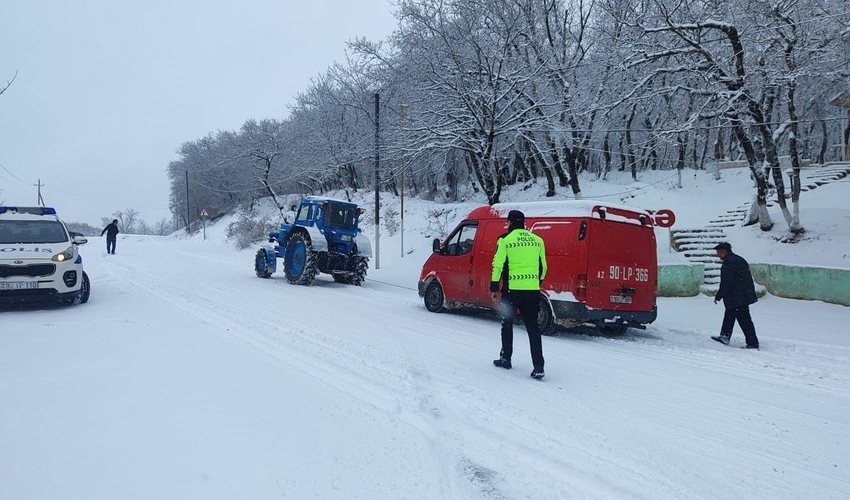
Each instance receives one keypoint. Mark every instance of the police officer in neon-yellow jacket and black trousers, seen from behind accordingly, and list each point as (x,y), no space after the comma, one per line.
(520,264)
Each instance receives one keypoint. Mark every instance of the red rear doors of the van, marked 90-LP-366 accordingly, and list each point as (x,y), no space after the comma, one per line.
(622,265)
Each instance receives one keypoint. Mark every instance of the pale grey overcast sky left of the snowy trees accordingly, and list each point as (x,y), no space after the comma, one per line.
(107,91)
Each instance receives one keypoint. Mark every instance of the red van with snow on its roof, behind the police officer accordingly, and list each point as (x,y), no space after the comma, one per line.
(602,263)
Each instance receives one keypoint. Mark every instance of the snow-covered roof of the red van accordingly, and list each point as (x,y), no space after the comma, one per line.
(560,208)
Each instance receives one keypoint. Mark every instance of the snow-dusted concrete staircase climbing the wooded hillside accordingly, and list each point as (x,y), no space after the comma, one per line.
(697,245)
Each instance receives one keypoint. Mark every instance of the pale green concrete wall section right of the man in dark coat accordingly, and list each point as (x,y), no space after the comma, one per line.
(809,283)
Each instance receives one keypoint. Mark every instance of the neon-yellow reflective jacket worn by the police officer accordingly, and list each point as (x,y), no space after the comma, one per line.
(521,256)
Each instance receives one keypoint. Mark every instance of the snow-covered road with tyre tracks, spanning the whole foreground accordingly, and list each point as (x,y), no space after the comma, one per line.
(188,377)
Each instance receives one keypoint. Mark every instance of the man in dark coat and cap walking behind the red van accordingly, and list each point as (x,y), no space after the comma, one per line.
(737,291)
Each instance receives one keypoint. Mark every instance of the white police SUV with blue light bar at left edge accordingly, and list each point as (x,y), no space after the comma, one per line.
(39,258)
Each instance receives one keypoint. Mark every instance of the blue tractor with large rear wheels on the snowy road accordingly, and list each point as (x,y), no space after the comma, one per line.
(324,238)
